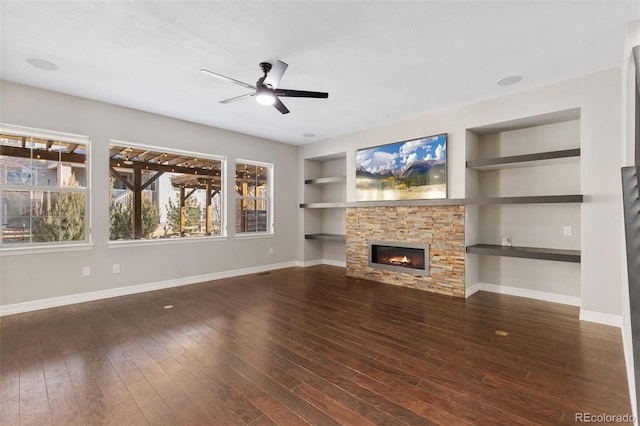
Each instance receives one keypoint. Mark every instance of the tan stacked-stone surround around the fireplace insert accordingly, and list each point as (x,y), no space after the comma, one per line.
(442,227)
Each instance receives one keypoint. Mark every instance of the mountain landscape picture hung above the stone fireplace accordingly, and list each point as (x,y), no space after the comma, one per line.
(409,170)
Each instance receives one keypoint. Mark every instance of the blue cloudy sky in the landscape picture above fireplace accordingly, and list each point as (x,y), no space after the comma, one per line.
(398,155)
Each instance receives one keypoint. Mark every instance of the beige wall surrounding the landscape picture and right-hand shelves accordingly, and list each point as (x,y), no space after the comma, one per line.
(598,98)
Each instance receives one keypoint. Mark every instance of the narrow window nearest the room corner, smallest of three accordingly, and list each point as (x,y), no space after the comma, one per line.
(254,201)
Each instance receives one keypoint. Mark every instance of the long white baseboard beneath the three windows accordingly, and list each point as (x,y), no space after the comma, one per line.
(53,302)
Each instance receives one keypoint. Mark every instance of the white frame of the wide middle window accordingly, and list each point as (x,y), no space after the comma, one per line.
(178,240)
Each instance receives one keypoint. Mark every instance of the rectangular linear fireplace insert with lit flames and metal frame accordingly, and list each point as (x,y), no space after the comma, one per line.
(405,257)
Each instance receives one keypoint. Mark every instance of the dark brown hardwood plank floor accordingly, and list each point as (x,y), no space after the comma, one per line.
(307,346)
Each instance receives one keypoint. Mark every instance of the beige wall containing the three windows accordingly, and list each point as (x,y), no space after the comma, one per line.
(31,277)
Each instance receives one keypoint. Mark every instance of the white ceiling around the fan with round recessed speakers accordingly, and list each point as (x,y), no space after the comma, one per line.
(380,61)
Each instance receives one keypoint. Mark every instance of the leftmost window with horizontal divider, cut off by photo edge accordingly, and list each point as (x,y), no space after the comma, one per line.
(44,188)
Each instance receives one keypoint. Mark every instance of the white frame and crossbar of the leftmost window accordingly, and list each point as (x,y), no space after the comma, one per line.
(44,246)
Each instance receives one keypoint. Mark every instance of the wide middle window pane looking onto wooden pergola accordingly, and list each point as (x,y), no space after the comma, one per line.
(160,194)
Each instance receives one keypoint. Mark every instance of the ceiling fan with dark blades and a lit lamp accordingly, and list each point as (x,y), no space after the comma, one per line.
(266,88)
